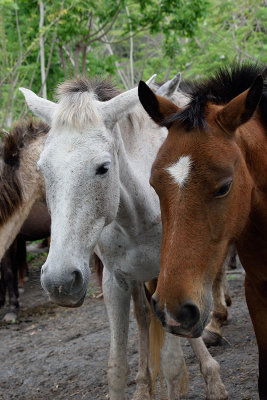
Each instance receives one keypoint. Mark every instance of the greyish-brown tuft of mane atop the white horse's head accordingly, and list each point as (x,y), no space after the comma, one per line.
(103,89)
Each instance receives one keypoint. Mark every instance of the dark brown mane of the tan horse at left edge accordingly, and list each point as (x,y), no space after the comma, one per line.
(11,193)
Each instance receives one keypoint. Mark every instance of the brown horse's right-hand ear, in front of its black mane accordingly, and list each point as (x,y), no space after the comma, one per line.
(241,108)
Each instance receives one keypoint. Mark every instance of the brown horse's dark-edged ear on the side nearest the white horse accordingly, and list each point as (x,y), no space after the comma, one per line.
(157,107)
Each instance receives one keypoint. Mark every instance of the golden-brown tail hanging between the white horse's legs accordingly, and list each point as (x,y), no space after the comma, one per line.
(156,341)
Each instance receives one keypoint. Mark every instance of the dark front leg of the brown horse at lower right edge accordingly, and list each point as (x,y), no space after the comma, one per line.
(257,305)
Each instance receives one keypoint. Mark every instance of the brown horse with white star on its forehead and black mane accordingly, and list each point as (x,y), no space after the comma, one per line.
(210,175)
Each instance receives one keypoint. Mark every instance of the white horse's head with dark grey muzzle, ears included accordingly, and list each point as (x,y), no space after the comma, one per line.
(81,170)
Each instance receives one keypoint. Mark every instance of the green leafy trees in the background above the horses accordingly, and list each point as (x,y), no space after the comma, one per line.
(98,38)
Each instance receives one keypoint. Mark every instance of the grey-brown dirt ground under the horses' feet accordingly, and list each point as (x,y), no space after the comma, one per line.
(59,353)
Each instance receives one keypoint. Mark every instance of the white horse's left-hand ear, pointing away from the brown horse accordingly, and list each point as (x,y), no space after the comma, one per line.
(41,107)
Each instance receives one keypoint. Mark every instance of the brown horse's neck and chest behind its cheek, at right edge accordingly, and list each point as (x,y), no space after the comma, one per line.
(252,138)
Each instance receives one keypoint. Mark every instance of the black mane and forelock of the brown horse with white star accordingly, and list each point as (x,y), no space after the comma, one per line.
(226,84)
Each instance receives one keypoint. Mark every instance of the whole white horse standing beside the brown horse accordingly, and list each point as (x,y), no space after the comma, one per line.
(96,163)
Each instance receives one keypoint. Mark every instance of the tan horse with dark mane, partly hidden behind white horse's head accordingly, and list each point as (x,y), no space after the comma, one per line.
(21,185)
